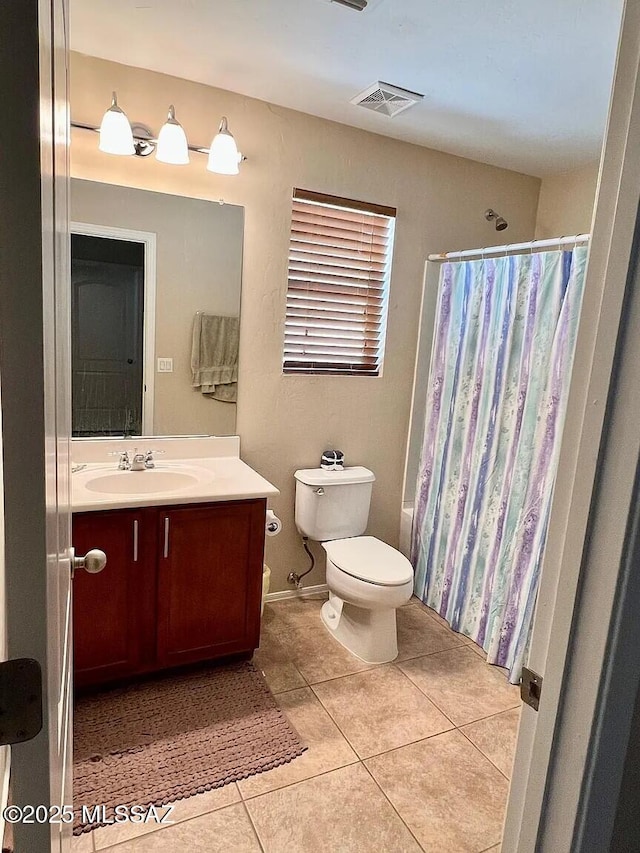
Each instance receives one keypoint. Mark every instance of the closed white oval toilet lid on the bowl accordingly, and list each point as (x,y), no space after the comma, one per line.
(369,559)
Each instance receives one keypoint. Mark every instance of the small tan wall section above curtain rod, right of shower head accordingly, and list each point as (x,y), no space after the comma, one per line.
(566,203)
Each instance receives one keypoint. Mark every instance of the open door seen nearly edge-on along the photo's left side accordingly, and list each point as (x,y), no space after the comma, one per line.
(34,374)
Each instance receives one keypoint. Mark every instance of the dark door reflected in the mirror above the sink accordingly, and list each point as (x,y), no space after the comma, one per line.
(107,322)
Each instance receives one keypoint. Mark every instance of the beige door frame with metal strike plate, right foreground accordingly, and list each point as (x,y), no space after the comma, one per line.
(552,751)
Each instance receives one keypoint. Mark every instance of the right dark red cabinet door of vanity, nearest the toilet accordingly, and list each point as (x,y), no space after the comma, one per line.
(210,580)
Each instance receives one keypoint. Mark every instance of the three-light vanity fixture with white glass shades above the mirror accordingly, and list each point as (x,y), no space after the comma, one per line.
(118,136)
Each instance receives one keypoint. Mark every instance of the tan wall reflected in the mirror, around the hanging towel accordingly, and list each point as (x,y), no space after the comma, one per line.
(198,268)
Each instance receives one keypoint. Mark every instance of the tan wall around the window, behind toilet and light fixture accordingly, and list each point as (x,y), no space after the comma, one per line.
(286,421)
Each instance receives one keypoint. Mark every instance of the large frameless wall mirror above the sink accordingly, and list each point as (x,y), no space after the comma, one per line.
(156,283)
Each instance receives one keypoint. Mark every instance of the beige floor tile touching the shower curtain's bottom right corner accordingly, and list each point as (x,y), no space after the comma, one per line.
(464,687)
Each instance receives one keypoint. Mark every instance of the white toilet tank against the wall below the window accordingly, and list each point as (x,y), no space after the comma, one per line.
(333,504)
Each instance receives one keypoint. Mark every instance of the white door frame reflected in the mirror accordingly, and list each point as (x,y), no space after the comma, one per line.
(148,238)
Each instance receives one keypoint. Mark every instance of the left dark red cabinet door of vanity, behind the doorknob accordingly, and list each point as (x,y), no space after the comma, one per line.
(109,616)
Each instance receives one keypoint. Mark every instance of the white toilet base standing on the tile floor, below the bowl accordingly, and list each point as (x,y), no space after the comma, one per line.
(368,634)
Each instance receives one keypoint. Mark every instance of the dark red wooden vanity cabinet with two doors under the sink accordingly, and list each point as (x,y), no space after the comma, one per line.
(182,584)
